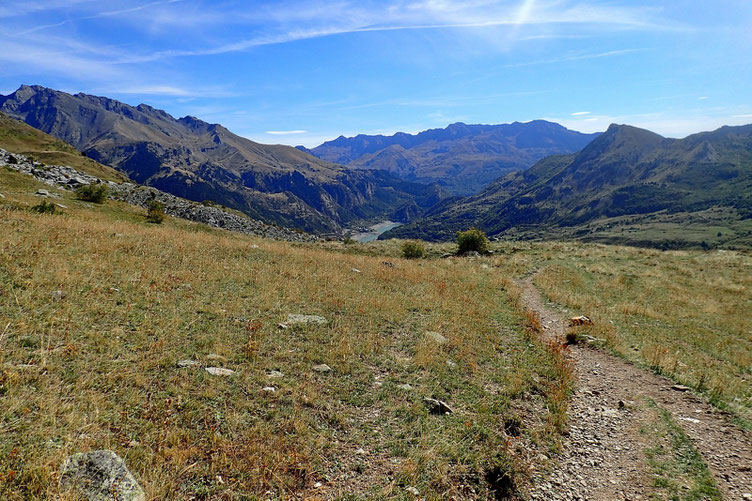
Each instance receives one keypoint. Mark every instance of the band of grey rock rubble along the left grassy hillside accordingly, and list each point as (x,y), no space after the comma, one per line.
(61,176)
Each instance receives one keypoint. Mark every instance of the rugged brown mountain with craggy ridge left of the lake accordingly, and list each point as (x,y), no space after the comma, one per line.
(199,161)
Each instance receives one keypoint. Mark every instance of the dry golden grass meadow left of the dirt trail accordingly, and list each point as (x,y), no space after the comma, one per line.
(97,306)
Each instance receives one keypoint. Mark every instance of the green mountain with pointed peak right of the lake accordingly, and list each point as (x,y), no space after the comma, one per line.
(627,171)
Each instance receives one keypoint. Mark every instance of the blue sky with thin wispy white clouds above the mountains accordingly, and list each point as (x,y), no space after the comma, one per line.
(301,72)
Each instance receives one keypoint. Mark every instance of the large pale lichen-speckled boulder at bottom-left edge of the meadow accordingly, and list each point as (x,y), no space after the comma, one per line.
(99,476)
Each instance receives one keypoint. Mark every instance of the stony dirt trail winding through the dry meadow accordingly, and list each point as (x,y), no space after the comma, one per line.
(603,456)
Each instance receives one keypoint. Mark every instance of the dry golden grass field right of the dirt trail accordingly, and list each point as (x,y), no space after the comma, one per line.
(684,313)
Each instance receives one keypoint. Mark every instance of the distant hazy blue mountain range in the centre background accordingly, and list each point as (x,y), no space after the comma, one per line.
(462,158)
